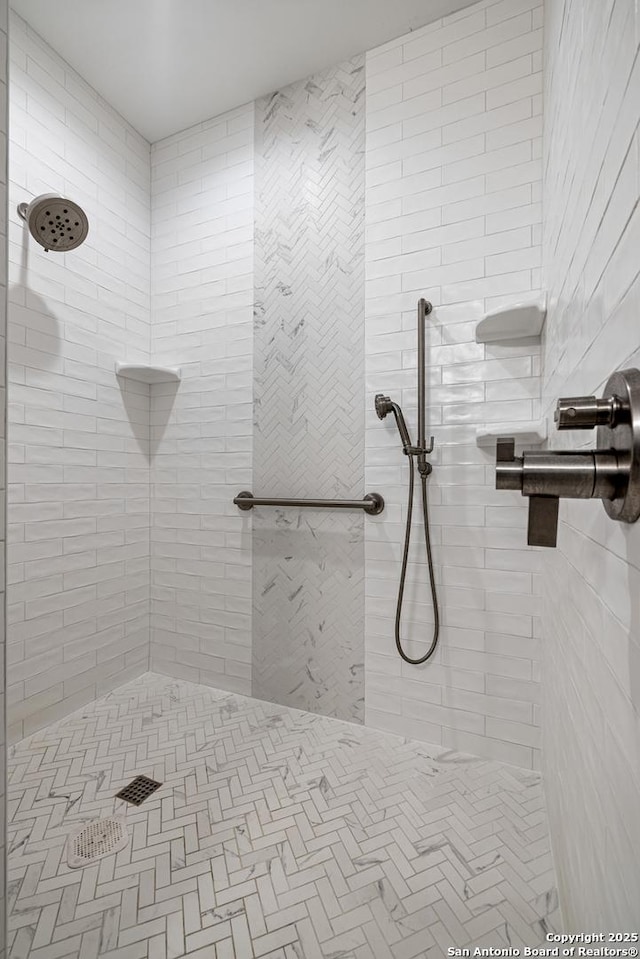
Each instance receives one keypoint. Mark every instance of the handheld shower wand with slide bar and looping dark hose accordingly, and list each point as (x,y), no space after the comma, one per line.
(384,406)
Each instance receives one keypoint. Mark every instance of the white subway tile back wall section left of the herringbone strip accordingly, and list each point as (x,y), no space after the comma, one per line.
(201,432)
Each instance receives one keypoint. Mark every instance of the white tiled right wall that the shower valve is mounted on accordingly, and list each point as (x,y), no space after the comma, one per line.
(591,583)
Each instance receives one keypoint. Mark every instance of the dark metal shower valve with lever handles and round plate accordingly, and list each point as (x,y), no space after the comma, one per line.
(610,473)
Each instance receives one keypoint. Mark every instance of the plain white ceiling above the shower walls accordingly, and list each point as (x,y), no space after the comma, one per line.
(167,64)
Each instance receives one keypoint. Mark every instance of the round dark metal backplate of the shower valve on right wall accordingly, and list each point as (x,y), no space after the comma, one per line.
(624,439)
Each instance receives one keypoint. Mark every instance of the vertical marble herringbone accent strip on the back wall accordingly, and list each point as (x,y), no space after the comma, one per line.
(308,576)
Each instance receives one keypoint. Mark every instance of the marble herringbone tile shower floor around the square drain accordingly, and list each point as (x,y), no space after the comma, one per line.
(276,833)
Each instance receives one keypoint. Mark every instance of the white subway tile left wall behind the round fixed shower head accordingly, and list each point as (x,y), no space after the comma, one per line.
(78,471)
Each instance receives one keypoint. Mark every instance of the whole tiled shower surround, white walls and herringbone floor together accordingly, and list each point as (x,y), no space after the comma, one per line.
(276,255)
